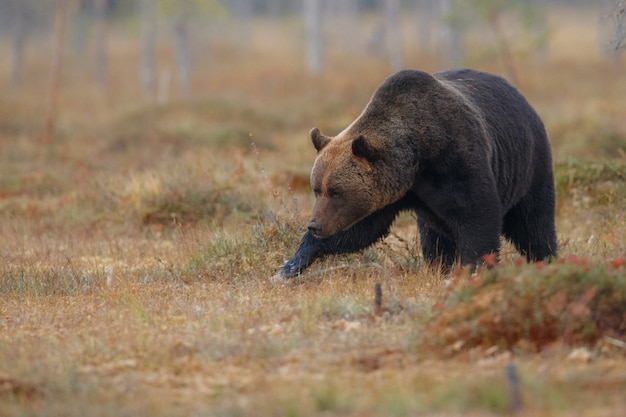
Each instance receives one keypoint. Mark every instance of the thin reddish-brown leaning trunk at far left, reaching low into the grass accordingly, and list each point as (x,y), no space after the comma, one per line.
(57,64)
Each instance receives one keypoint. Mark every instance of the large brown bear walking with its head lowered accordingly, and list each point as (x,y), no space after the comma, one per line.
(463,149)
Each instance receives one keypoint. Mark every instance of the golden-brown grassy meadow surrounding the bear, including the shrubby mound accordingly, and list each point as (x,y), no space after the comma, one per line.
(137,247)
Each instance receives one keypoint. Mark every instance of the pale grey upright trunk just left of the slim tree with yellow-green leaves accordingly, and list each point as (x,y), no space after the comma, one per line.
(148,41)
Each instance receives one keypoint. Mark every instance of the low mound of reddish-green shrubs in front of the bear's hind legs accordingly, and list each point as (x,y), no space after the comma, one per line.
(571,300)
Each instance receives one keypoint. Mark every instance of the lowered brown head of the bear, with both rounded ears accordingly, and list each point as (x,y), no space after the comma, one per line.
(350,179)
